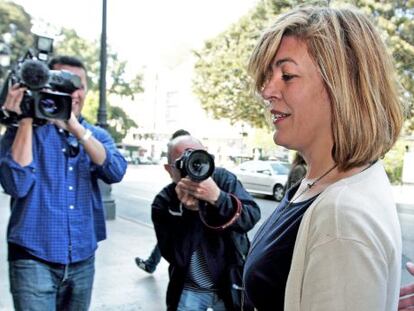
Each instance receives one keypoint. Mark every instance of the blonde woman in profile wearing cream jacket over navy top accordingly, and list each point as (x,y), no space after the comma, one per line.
(334,242)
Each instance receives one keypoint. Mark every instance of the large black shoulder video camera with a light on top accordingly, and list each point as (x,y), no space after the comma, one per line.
(48,94)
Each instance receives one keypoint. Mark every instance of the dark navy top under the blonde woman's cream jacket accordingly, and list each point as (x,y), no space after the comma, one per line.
(268,263)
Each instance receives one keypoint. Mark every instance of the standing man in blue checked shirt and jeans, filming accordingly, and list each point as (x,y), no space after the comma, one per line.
(51,173)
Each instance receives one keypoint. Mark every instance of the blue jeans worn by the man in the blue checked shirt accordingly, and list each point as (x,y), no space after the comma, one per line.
(37,286)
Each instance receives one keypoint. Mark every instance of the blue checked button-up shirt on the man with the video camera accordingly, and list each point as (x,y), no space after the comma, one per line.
(56,206)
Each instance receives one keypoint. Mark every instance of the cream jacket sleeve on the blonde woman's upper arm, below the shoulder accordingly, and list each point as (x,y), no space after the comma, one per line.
(344,274)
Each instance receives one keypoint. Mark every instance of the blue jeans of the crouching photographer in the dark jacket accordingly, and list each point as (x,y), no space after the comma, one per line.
(200,301)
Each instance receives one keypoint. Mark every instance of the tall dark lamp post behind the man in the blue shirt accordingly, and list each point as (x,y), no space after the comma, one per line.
(108,201)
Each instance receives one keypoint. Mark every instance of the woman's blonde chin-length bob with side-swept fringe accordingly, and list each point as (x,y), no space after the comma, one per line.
(358,73)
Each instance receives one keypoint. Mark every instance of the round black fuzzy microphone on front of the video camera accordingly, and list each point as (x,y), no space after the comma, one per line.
(34,74)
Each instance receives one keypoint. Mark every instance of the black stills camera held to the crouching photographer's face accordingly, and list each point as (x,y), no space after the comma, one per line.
(197,164)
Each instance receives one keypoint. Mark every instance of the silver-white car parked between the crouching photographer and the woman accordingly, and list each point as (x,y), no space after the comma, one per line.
(263,177)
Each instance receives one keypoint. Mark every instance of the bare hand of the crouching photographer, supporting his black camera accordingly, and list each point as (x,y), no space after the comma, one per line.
(207,190)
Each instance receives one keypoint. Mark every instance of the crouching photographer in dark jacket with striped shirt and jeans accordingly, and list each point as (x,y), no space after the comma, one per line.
(184,214)
